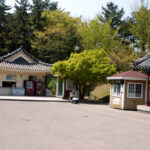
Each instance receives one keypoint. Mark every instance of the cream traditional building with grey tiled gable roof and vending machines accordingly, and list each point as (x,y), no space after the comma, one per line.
(22,74)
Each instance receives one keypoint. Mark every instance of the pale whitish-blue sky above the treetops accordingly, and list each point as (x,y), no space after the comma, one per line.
(89,8)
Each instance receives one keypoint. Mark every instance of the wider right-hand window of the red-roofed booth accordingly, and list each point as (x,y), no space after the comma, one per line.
(134,90)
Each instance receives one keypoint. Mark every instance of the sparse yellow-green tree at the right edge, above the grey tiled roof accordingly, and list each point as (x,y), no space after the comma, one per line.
(141,26)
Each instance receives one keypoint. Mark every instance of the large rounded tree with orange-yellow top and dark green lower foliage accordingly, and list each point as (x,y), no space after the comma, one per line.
(59,38)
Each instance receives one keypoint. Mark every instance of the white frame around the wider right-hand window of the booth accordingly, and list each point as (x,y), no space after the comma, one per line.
(135,83)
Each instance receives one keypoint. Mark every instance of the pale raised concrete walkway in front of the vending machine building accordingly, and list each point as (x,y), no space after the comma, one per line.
(32,98)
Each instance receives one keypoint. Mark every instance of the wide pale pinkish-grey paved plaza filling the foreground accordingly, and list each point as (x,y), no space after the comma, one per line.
(28,125)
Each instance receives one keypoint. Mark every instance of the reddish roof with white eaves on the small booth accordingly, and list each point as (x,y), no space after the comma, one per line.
(129,74)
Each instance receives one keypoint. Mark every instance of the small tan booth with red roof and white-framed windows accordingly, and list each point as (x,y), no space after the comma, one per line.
(128,89)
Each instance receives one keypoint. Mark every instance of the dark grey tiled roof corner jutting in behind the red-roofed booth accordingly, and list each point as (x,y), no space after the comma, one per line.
(142,64)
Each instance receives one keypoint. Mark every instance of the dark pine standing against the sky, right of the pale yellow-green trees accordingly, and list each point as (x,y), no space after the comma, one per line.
(115,15)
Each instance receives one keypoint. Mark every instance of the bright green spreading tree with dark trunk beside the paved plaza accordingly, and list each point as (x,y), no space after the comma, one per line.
(87,67)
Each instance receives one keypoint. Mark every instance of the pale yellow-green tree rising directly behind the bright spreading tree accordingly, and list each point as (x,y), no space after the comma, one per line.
(98,35)
